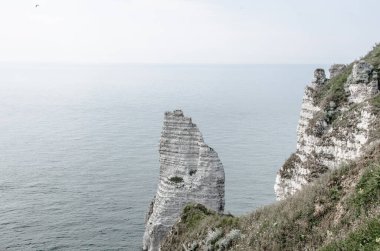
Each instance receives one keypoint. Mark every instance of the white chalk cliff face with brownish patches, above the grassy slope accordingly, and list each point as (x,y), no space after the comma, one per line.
(322,145)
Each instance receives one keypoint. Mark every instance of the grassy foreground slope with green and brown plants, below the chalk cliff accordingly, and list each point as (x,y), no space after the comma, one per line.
(339,211)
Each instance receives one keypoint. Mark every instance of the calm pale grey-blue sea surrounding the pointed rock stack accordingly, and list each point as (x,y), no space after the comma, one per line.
(79,144)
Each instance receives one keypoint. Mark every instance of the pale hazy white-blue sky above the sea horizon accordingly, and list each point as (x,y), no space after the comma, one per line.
(188,31)
